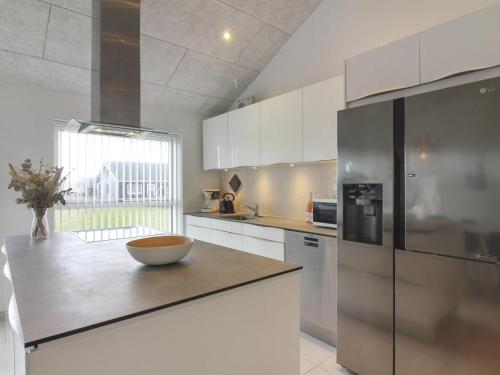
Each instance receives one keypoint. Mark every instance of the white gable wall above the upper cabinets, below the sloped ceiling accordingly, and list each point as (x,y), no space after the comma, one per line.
(338,29)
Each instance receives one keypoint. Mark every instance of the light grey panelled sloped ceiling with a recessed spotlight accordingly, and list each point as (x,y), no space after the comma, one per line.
(186,65)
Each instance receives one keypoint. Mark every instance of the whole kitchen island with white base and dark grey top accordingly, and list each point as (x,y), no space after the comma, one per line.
(89,308)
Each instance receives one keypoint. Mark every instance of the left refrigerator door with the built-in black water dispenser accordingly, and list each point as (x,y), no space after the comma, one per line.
(365,239)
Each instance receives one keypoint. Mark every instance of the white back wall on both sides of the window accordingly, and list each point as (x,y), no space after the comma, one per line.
(26,131)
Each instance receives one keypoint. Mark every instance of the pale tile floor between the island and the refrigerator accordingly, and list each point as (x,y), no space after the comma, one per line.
(318,358)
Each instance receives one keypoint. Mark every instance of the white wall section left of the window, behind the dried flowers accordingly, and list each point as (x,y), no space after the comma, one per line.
(26,123)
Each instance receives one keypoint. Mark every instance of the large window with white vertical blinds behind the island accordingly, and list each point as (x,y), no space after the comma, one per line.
(124,185)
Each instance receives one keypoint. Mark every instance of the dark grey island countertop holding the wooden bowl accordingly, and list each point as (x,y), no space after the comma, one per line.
(65,286)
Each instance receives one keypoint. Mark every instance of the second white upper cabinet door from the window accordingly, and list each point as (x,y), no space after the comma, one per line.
(244,136)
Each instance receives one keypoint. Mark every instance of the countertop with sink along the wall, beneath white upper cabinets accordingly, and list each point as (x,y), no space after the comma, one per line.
(276,222)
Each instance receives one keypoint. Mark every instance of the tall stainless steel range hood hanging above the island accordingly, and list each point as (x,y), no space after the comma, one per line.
(116,72)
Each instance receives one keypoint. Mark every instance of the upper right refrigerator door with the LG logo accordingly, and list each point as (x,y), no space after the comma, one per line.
(452,152)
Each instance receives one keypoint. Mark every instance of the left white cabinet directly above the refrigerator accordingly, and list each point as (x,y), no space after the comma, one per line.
(391,67)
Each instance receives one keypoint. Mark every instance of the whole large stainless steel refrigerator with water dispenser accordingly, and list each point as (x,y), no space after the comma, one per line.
(419,234)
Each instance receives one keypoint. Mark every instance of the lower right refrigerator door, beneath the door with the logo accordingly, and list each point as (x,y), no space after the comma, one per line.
(447,316)
